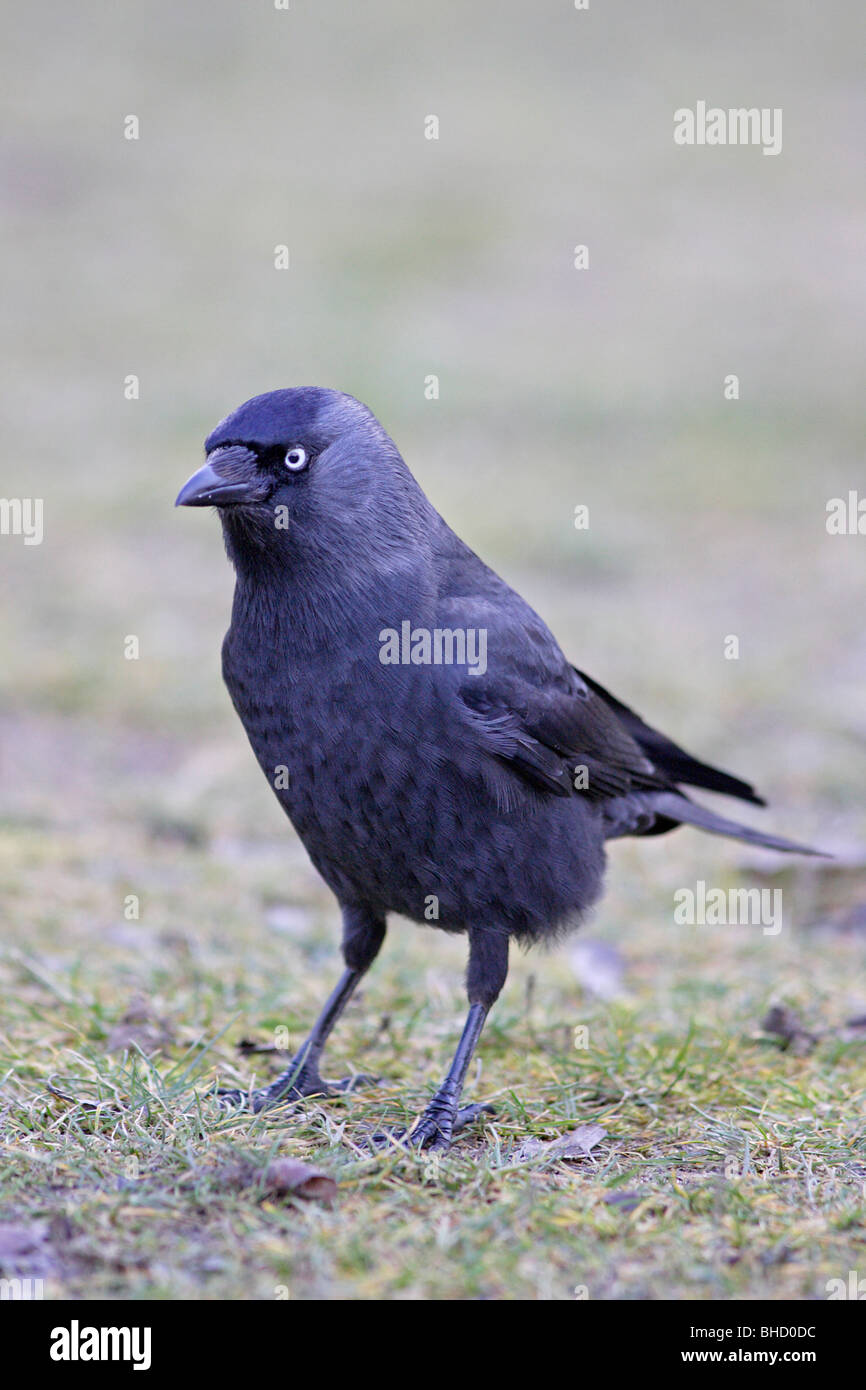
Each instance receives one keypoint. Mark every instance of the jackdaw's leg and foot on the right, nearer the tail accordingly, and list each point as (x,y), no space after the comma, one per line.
(489,965)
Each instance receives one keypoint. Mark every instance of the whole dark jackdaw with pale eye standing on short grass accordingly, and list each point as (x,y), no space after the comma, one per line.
(437,754)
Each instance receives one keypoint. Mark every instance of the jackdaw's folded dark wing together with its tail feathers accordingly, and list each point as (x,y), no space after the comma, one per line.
(565,735)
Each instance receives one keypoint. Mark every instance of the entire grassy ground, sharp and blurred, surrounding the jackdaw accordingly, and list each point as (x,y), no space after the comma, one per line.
(158,908)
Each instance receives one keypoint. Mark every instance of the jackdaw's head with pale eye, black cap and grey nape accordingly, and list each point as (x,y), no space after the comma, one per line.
(308,472)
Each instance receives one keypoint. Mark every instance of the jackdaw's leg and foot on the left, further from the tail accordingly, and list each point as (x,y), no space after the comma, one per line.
(363,935)
